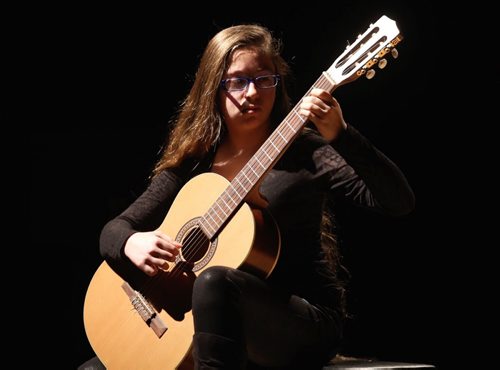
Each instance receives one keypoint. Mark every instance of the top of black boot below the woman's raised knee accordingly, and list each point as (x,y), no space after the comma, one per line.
(211,351)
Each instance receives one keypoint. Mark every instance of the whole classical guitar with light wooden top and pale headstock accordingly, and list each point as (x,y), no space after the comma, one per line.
(150,325)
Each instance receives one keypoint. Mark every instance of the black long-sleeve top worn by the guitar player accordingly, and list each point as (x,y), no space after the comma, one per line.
(296,188)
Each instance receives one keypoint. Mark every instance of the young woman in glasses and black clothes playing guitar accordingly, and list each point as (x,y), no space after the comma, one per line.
(292,318)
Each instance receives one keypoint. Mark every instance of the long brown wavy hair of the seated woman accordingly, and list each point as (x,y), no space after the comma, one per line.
(199,124)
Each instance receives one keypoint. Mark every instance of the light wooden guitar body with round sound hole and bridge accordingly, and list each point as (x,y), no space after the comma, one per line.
(120,337)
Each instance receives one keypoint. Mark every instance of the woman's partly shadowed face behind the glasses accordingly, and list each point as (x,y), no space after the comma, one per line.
(250,108)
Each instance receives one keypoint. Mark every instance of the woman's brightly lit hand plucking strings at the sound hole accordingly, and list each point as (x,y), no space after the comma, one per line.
(150,251)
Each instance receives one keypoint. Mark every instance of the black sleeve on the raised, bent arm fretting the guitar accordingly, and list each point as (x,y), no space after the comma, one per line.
(364,175)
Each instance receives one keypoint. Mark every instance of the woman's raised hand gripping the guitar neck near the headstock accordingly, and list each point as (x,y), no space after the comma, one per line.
(322,109)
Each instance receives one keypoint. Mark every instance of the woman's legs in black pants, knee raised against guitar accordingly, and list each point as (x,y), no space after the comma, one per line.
(239,318)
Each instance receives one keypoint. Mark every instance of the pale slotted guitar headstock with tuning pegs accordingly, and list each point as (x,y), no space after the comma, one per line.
(367,51)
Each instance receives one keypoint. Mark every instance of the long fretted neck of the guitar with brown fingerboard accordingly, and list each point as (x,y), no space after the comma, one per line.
(260,163)
